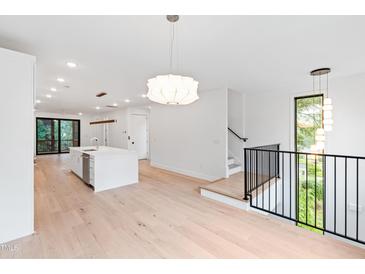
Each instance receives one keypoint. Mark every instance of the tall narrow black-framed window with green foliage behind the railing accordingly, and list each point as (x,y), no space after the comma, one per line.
(308,118)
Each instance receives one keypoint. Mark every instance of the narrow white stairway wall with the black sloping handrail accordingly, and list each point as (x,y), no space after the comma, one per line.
(236,121)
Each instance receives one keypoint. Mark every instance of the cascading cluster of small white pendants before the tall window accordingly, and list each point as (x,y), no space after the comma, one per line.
(327,122)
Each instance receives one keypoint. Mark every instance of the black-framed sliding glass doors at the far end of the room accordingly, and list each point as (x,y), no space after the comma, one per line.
(56,135)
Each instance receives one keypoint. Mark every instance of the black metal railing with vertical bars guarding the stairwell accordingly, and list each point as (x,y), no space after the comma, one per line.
(324,192)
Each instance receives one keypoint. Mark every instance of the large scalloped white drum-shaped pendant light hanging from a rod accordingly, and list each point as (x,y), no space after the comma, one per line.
(172,89)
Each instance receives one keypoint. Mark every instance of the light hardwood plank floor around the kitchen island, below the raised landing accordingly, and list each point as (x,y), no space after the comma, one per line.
(161,217)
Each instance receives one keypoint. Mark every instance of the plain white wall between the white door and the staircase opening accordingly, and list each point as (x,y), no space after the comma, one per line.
(191,139)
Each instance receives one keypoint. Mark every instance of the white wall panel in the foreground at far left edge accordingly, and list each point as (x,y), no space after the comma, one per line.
(16,145)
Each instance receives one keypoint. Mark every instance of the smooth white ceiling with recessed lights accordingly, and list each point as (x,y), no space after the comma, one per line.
(117,54)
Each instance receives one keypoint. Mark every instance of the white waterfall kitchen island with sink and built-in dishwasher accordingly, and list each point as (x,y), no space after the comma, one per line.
(104,167)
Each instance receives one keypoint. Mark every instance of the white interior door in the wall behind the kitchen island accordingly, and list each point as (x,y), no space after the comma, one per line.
(138,140)
